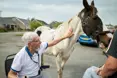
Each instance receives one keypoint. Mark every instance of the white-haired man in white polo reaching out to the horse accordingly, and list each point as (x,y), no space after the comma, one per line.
(26,61)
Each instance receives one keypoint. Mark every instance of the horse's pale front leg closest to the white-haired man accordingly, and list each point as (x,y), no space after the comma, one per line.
(59,69)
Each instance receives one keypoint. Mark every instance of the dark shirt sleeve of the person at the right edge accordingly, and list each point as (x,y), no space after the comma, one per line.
(112,51)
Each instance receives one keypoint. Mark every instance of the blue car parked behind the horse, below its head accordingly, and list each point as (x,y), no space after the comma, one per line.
(85,40)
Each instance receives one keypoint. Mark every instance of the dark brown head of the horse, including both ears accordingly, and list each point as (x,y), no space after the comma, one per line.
(91,22)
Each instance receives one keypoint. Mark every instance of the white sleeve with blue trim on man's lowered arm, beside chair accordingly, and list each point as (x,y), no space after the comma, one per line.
(17,63)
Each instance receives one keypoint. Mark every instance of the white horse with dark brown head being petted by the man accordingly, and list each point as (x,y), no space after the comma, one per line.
(86,21)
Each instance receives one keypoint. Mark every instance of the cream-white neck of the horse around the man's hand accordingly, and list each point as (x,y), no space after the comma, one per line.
(75,24)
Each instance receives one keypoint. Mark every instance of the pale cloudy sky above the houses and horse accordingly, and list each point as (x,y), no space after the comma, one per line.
(56,10)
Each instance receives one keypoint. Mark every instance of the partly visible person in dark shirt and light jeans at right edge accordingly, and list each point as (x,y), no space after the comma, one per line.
(109,67)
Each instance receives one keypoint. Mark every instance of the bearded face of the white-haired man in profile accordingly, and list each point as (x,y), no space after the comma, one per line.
(35,43)
